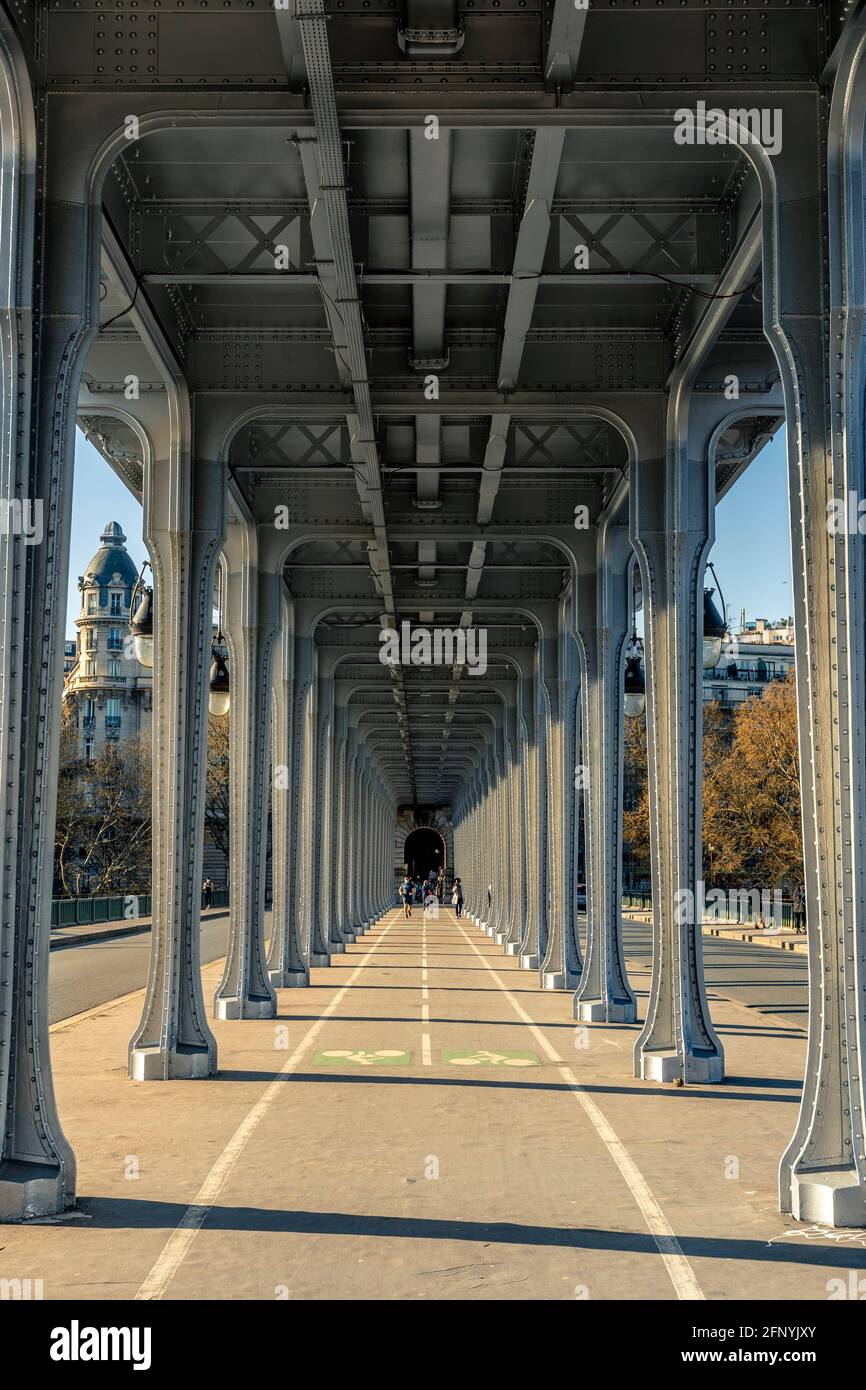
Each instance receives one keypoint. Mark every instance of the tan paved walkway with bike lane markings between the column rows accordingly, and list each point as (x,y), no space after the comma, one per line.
(423,1122)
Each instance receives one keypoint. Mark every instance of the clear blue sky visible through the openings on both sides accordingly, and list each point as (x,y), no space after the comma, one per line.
(753,551)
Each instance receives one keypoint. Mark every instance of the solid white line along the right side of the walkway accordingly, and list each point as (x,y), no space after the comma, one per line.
(682,1274)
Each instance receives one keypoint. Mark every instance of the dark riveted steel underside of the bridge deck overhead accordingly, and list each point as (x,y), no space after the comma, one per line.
(462,269)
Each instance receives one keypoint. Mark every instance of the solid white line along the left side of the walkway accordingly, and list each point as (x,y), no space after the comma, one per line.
(181,1239)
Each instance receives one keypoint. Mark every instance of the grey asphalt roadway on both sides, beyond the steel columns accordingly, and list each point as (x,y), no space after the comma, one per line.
(765,979)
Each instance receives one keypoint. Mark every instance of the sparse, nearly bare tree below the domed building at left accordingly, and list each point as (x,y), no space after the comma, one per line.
(104,818)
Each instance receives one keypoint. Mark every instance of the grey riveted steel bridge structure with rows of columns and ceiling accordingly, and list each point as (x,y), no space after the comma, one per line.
(454,316)
